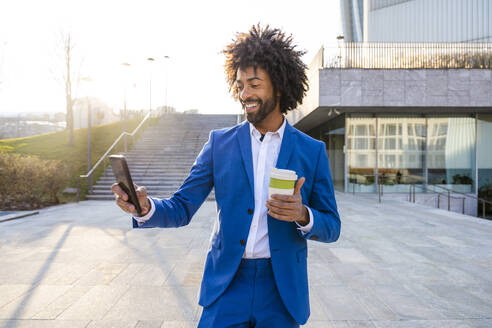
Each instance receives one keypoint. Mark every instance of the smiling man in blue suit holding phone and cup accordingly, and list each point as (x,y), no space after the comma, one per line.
(256,271)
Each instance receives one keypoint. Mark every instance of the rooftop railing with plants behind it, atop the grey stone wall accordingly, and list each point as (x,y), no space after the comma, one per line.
(379,55)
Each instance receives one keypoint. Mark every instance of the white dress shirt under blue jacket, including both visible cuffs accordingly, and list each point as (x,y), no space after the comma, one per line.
(265,155)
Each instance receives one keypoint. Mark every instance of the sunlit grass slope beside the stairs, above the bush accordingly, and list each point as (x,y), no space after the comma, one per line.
(55,145)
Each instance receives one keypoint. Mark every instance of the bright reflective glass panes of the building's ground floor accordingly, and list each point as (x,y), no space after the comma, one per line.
(436,151)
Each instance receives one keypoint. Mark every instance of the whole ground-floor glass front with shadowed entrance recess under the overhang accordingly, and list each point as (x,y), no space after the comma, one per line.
(451,152)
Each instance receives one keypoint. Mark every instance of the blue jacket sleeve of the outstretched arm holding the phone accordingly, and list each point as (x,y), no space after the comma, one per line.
(178,210)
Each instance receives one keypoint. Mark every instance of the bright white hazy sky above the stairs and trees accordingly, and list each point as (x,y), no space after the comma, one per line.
(109,33)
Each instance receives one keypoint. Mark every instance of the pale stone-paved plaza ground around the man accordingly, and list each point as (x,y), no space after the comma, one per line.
(396,265)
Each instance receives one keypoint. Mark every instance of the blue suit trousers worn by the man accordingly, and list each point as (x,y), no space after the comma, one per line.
(251,300)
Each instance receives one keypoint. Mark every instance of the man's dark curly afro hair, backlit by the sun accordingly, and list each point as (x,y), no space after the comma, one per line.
(273,51)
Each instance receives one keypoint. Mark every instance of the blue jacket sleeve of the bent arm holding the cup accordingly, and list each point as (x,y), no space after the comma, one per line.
(323,205)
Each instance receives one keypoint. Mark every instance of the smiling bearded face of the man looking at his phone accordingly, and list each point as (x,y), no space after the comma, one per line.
(256,95)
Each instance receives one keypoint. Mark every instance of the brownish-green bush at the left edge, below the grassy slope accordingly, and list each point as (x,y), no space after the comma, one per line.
(27,182)
